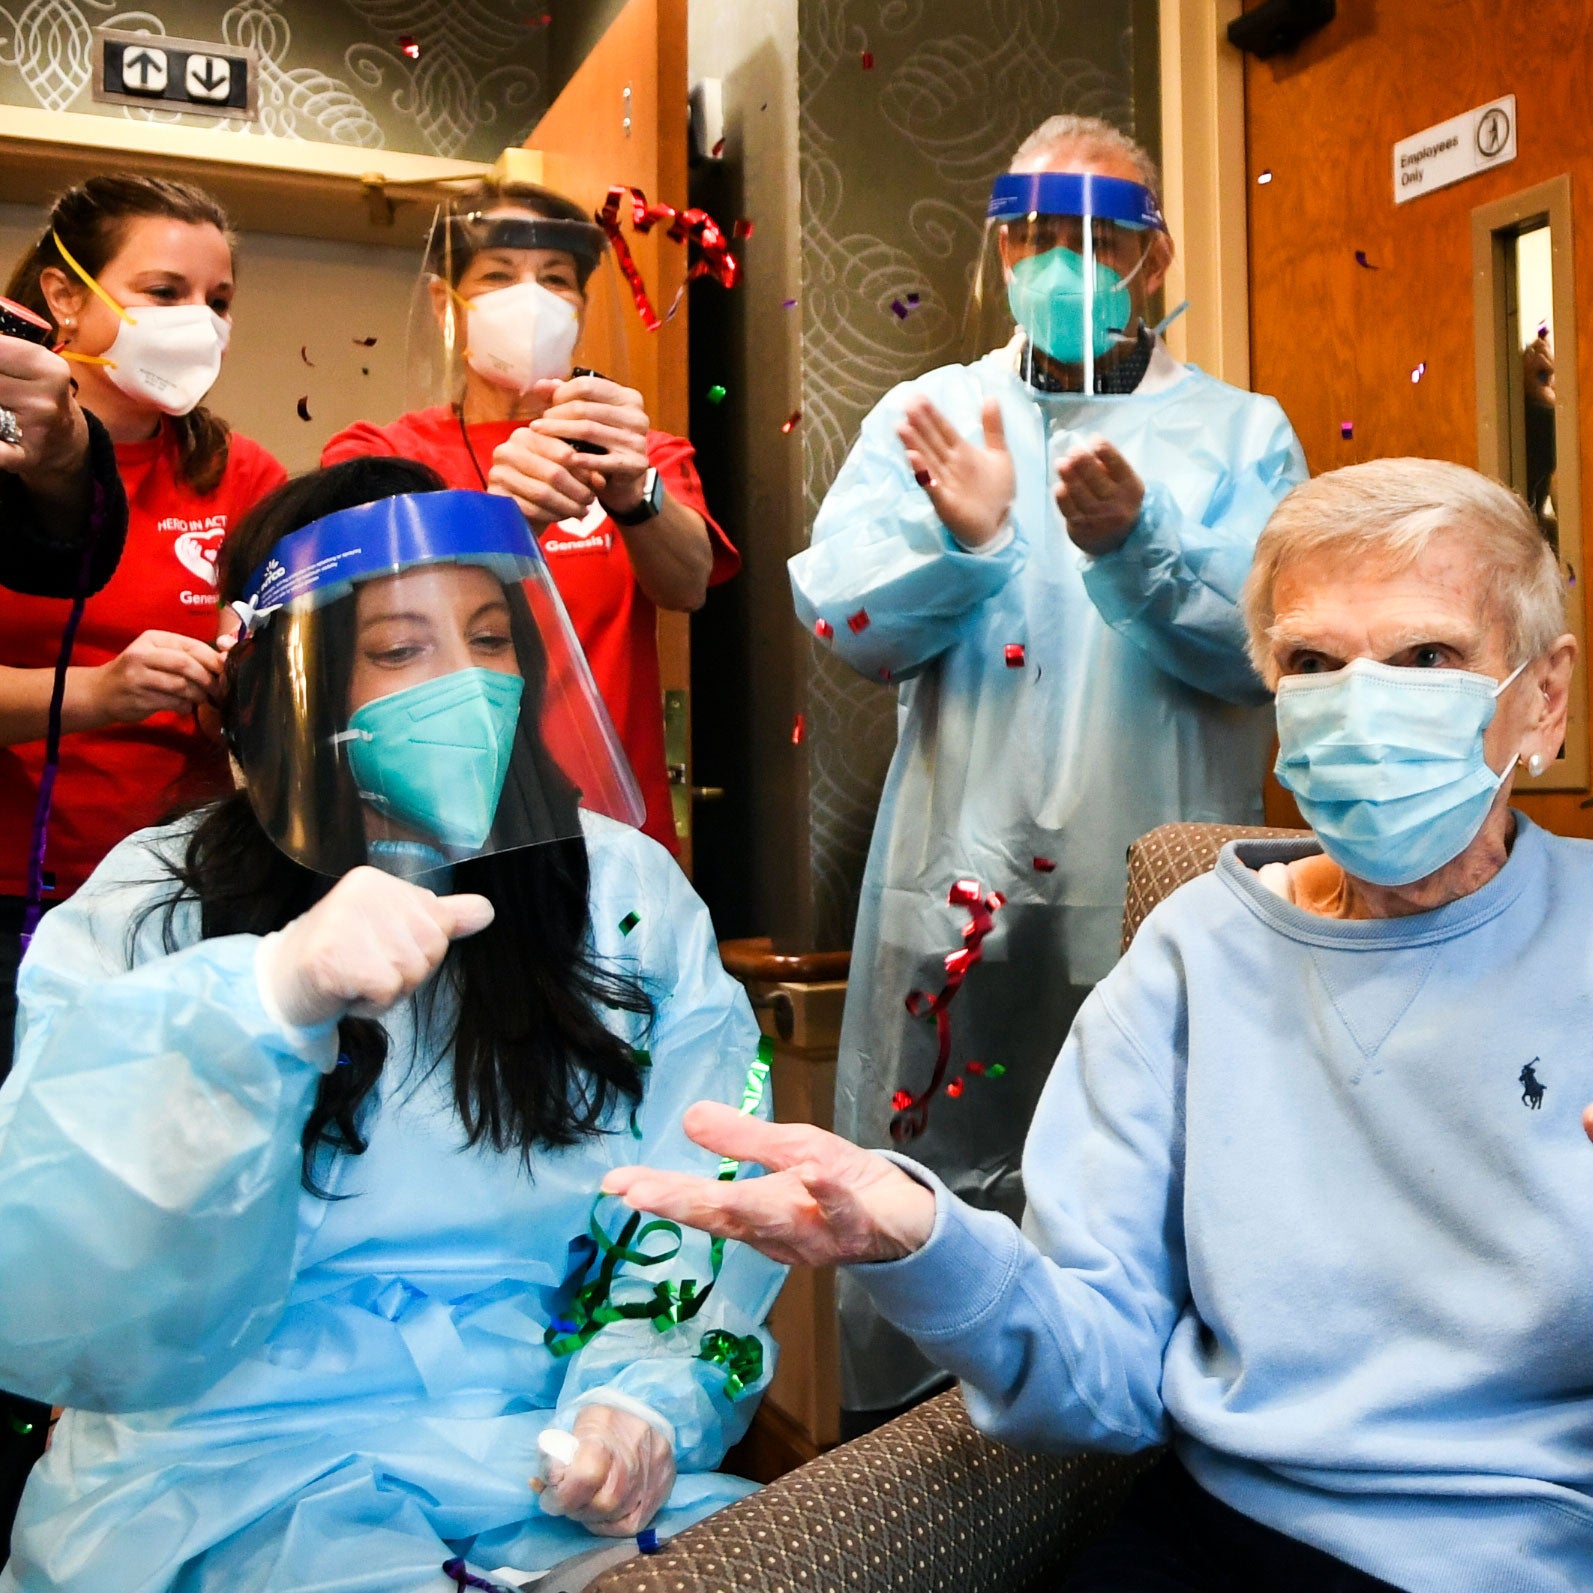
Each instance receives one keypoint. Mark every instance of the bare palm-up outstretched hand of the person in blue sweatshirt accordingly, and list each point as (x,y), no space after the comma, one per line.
(823,1202)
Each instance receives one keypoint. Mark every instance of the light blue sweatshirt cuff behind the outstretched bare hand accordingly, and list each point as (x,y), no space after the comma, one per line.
(957,1280)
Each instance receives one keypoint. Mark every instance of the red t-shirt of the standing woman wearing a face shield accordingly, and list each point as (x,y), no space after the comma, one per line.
(614,619)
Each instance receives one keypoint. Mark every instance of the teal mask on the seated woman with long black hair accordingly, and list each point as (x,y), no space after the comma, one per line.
(436,756)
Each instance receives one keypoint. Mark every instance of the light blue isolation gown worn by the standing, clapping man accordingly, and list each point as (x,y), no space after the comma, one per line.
(1133,703)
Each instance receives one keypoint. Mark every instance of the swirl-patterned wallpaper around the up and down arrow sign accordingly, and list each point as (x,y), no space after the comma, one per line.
(331,71)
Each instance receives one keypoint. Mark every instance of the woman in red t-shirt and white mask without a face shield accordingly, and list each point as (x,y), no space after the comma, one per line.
(136,275)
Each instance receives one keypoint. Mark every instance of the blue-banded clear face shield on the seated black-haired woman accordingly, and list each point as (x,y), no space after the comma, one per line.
(409,692)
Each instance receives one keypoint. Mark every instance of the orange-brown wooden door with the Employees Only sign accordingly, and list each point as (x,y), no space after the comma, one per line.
(1363,310)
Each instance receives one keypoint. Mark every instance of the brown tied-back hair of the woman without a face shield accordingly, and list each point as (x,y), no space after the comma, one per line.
(92,221)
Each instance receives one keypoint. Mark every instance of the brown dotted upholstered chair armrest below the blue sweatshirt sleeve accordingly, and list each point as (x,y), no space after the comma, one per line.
(923,1503)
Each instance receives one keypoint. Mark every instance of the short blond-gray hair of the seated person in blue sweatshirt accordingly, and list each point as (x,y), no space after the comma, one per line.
(1387,512)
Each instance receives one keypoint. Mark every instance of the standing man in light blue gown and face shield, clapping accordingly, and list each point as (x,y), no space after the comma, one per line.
(1044,552)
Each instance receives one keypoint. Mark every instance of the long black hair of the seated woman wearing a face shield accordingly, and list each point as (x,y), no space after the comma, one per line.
(533,1062)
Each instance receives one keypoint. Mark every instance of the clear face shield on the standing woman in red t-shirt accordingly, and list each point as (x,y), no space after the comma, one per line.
(507,299)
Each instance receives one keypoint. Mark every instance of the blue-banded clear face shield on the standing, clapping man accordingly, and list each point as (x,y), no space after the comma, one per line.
(1063,275)
